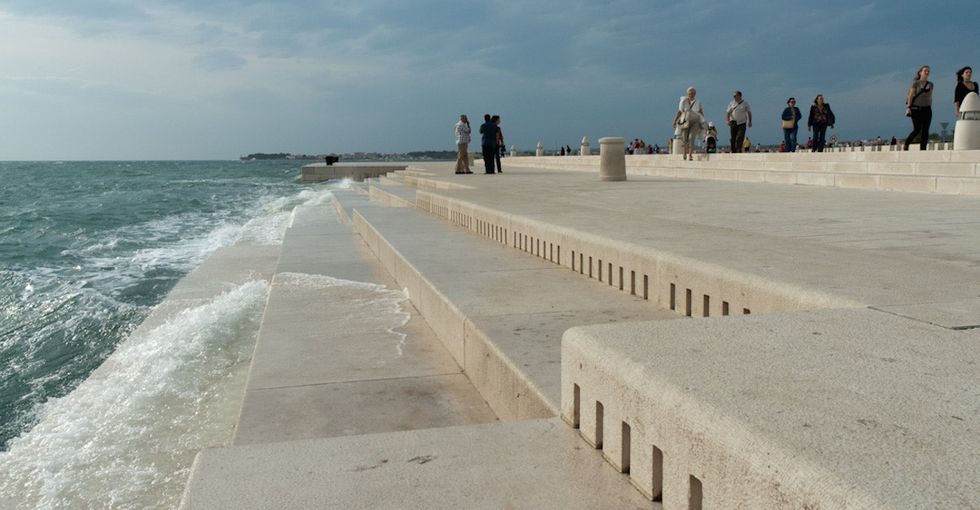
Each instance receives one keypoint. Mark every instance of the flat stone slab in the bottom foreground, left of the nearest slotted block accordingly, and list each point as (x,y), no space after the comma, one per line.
(532,464)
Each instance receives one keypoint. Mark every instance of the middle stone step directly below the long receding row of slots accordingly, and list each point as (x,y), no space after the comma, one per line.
(500,313)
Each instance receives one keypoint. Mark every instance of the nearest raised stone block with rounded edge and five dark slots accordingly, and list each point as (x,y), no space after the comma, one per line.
(825,409)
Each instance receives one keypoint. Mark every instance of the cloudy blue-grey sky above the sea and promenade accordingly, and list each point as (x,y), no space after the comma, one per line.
(183,79)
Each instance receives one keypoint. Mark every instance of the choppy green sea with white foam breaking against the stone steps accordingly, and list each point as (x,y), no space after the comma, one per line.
(95,410)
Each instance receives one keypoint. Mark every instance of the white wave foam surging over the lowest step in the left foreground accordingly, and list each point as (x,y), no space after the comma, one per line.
(127,435)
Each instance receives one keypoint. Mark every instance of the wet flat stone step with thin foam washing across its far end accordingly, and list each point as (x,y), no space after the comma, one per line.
(341,351)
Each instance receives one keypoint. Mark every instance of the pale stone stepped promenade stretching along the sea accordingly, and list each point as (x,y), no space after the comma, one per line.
(826,357)
